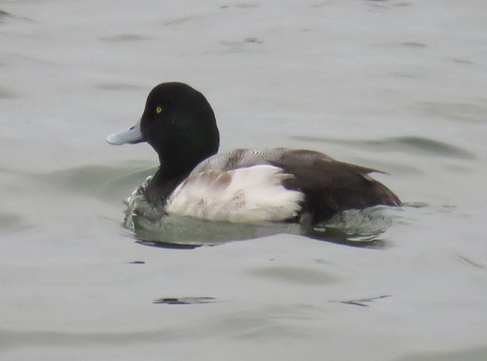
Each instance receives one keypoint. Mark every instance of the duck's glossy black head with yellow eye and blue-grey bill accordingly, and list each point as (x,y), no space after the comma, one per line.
(178,123)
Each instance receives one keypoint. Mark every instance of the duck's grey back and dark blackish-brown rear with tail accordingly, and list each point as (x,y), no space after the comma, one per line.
(329,186)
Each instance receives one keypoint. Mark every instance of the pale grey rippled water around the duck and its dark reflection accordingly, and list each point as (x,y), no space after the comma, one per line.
(393,85)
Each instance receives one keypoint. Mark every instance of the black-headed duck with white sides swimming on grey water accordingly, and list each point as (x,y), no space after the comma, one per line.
(244,185)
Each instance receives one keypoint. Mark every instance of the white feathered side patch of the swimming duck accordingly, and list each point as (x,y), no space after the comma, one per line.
(242,195)
